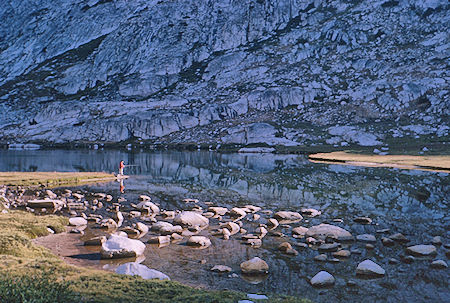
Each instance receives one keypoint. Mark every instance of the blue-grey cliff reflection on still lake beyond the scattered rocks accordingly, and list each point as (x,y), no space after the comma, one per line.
(287,181)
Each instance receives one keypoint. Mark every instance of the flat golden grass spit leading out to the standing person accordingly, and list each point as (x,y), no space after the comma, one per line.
(51,179)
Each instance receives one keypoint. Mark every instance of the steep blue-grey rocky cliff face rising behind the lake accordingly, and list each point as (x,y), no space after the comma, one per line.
(286,72)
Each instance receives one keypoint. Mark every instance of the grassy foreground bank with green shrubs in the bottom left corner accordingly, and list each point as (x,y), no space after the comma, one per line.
(29,273)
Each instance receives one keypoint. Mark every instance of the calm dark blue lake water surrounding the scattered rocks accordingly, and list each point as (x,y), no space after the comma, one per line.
(415,203)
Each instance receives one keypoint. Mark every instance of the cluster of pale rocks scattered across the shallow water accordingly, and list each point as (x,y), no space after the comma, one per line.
(127,224)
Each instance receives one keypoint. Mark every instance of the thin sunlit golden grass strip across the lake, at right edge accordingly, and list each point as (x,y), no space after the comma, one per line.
(433,163)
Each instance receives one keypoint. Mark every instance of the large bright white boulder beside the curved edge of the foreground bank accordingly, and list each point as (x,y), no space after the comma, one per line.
(121,247)
